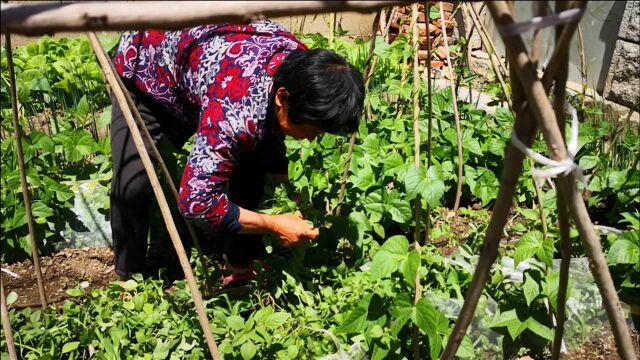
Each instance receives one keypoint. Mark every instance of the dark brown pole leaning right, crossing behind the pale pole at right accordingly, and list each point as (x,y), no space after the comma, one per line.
(525,128)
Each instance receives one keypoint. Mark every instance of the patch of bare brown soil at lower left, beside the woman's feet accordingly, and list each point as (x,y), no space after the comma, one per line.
(85,267)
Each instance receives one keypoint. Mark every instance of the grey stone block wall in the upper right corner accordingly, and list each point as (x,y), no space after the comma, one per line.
(623,80)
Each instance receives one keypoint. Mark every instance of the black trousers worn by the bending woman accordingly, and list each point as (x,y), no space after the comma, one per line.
(134,208)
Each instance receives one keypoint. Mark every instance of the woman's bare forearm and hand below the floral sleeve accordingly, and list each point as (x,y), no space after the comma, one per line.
(290,229)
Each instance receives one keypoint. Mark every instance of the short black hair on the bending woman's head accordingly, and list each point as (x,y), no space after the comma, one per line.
(324,90)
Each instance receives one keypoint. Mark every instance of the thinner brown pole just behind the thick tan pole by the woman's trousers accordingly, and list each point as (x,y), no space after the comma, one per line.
(95,44)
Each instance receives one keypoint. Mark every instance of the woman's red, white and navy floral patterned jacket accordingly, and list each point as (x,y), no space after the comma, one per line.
(219,76)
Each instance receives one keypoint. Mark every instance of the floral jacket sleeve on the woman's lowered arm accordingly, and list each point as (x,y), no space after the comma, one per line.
(210,164)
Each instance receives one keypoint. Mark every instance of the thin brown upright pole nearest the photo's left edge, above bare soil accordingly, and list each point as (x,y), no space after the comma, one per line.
(26,195)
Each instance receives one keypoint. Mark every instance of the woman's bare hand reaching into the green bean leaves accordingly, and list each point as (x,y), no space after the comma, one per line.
(292,230)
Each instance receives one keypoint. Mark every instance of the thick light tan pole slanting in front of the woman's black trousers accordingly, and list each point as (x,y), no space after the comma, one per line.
(162,201)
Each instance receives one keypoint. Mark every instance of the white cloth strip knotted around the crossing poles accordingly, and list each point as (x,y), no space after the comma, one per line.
(554,167)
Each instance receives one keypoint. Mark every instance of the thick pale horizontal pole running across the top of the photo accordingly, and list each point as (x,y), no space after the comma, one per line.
(49,18)
